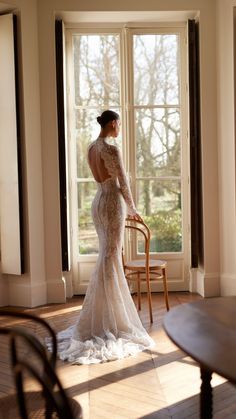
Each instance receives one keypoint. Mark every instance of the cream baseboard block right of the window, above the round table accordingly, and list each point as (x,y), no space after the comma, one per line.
(205,284)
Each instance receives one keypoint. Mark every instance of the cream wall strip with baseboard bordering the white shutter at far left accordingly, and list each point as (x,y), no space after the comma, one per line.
(29,289)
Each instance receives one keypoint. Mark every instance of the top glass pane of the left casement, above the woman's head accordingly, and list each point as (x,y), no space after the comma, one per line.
(96,70)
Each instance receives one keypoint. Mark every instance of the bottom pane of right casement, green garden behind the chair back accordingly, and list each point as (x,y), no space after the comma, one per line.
(159,203)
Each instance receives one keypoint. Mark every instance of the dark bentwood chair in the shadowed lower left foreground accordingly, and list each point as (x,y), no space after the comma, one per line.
(30,358)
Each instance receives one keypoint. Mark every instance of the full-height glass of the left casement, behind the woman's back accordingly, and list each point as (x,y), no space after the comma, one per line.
(96,80)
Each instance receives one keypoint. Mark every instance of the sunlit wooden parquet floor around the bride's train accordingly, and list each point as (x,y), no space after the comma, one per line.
(161,383)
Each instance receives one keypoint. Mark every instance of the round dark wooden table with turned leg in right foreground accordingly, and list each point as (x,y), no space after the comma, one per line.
(206,330)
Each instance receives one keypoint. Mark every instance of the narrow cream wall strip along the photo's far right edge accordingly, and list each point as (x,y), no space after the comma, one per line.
(226,137)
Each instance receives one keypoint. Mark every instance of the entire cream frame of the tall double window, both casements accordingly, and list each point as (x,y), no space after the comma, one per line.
(127,111)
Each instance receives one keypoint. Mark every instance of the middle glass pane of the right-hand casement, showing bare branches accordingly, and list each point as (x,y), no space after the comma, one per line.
(158,142)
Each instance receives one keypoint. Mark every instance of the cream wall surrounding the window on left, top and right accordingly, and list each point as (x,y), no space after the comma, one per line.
(43,281)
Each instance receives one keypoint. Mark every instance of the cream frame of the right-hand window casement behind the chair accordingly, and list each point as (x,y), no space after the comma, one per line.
(181,30)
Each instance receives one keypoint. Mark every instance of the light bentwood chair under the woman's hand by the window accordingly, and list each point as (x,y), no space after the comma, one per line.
(145,269)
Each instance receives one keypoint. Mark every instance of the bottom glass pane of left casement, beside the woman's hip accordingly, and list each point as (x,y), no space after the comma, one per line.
(87,240)
